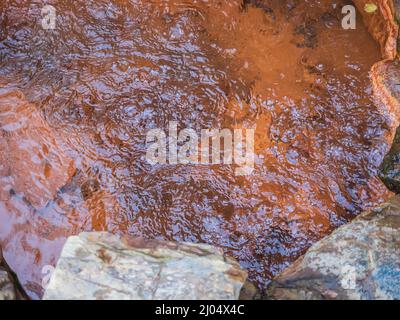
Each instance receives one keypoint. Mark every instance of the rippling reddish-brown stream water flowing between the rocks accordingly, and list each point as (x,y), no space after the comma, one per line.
(76,104)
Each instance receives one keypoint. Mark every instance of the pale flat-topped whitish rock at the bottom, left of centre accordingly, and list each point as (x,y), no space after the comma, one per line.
(104,266)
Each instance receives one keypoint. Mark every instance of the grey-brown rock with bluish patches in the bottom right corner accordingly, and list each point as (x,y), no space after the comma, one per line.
(358,261)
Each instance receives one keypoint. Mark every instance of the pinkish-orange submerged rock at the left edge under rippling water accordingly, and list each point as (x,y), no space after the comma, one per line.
(32,162)
